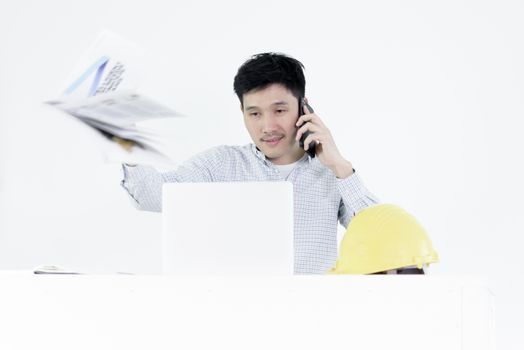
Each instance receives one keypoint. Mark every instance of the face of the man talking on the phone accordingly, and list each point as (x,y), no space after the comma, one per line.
(270,116)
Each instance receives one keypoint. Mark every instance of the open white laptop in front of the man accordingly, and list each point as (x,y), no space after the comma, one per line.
(228,228)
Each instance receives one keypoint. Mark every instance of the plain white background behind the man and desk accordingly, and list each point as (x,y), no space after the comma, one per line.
(425,98)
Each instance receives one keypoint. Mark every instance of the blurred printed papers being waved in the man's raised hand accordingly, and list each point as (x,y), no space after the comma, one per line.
(103,92)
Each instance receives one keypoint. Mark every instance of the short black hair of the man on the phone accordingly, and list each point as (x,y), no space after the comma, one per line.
(268,68)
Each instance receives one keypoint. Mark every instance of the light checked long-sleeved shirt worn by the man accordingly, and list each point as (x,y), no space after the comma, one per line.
(321,200)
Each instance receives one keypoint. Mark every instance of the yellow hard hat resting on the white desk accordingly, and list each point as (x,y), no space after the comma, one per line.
(381,238)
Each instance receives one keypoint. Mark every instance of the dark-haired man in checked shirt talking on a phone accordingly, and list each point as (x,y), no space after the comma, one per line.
(326,188)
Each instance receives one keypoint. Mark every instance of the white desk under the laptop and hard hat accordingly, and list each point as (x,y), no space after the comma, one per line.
(317,312)
